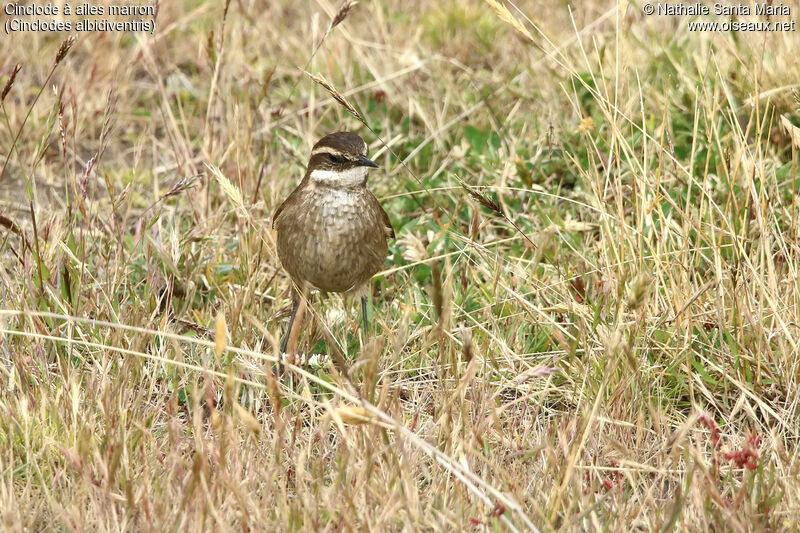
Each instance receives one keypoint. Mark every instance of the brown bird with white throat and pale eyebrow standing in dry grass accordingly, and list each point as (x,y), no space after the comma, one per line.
(332,231)
